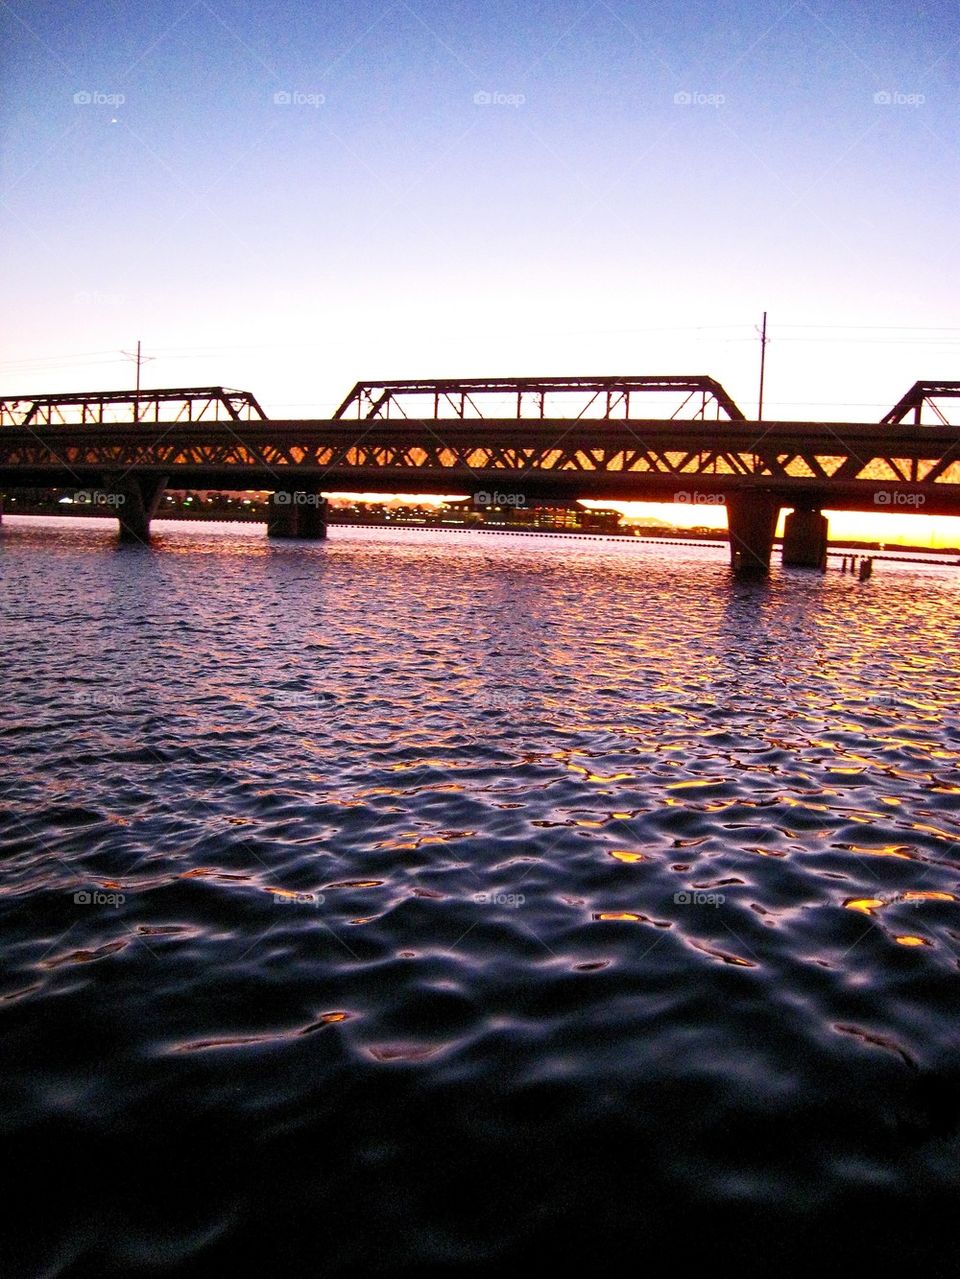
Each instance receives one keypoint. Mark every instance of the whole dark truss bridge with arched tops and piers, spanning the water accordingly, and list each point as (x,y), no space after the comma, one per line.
(532,441)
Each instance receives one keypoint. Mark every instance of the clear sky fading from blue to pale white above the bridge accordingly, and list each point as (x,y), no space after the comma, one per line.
(288,198)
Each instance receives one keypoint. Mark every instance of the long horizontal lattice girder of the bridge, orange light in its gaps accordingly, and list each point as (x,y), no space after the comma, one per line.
(584,456)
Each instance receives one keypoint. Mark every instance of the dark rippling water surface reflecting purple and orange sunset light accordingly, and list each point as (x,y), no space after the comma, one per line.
(443,905)
